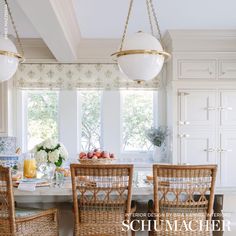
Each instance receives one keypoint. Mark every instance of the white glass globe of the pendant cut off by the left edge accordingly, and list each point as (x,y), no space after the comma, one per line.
(8,64)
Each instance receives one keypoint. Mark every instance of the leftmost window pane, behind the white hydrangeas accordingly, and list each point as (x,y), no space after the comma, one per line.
(42,116)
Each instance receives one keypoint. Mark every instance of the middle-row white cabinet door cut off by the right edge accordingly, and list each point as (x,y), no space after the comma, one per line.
(227,108)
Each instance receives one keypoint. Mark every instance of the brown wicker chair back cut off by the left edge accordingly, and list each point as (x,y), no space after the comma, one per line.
(7,208)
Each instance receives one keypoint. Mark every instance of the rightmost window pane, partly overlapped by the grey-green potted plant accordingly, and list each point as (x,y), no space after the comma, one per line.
(137,117)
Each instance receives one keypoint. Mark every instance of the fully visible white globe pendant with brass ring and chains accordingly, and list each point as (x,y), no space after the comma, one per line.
(141,56)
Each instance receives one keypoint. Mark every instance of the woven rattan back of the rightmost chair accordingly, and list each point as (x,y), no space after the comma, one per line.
(180,192)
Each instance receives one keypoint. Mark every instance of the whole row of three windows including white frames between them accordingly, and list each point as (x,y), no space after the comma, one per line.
(115,121)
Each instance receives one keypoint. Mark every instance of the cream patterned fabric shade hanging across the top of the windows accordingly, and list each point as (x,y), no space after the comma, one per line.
(76,76)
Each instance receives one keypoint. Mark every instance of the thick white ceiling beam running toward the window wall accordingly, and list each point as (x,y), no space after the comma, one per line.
(56,22)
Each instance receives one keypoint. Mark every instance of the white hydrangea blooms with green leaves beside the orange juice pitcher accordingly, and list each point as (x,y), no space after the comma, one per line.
(50,152)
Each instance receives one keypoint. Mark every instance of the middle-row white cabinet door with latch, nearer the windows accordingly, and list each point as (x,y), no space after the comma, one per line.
(197,107)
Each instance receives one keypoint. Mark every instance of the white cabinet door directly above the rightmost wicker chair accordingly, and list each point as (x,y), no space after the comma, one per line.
(197,147)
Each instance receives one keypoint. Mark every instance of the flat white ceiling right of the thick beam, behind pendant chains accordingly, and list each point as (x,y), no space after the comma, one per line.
(105,18)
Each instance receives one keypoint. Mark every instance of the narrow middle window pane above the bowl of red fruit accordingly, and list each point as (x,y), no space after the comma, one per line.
(90,120)
